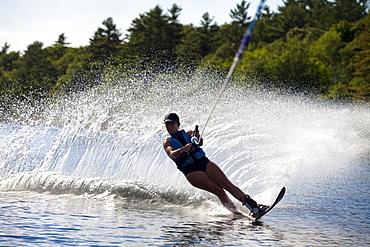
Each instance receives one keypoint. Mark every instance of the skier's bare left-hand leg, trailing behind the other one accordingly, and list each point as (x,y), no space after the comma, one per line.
(202,181)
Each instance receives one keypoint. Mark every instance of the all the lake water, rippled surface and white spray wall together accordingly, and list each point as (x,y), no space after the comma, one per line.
(90,170)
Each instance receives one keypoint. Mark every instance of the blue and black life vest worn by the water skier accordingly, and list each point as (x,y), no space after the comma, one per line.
(181,139)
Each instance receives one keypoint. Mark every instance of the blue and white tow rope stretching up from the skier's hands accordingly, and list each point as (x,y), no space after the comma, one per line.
(246,37)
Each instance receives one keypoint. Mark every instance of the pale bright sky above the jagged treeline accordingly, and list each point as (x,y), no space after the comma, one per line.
(23,22)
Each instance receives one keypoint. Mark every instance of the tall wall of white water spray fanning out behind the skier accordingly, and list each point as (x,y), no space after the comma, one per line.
(262,141)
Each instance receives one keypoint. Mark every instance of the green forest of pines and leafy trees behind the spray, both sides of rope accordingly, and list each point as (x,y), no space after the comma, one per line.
(316,47)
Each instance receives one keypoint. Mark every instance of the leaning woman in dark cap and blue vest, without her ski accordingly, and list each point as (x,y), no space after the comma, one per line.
(199,170)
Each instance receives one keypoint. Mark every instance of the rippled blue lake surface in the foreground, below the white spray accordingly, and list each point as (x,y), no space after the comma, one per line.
(329,212)
